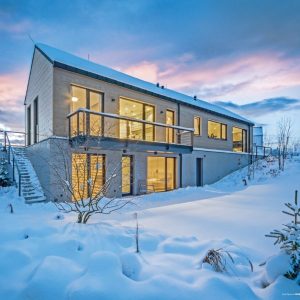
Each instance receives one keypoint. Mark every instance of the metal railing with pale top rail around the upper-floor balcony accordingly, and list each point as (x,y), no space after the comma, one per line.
(84,122)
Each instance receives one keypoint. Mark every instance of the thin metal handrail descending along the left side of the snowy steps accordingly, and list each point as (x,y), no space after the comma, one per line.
(12,159)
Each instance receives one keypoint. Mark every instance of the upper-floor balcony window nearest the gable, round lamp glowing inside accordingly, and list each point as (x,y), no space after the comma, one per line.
(85,98)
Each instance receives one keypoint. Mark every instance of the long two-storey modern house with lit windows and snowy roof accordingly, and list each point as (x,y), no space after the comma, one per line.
(98,118)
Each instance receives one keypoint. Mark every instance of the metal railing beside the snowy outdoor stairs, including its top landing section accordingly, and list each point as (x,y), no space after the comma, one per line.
(11,156)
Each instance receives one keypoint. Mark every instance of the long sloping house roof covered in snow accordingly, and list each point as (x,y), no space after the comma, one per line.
(67,59)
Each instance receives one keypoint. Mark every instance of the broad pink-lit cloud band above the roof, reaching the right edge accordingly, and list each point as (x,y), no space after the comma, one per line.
(239,78)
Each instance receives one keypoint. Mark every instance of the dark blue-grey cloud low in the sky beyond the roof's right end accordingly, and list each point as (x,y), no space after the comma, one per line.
(263,107)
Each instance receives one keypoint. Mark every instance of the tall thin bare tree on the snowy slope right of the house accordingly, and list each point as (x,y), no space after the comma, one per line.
(284,129)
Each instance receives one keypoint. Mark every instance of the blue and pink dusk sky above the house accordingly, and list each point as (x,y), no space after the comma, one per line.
(242,55)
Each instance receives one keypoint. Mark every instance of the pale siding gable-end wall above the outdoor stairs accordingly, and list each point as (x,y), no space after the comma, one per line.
(40,84)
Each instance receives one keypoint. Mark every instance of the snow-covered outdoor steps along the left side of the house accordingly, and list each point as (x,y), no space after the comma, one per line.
(31,189)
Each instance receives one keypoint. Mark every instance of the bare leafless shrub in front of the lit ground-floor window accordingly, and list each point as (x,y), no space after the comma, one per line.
(84,180)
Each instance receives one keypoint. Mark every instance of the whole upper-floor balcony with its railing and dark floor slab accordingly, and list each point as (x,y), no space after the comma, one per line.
(111,131)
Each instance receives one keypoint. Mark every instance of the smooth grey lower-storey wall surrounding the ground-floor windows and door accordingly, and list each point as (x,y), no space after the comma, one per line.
(52,161)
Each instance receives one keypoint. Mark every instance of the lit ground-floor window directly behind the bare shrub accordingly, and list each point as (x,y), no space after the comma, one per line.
(88,175)
